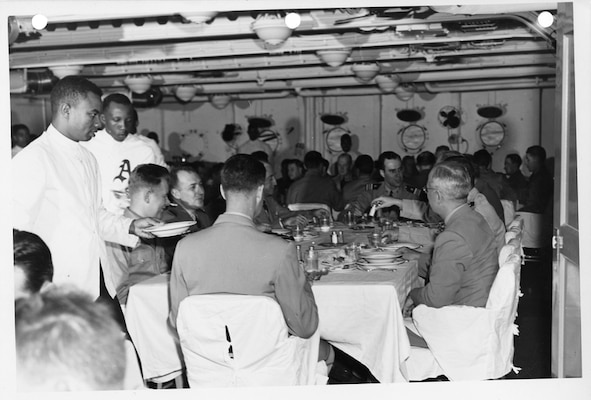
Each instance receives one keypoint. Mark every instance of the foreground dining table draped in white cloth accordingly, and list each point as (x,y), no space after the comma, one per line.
(360,311)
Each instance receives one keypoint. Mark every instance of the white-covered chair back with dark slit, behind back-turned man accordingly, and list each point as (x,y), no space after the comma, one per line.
(235,340)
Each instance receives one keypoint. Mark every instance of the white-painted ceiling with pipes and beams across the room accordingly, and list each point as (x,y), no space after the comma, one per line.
(439,48)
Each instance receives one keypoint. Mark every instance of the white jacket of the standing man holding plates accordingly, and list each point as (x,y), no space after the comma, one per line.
(56,194)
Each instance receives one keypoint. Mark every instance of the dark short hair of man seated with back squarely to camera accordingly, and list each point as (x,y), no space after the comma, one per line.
(242,173)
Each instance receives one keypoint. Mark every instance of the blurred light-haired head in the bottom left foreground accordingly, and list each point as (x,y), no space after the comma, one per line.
(63,332)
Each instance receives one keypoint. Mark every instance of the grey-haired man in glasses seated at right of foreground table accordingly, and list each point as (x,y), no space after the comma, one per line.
(464,261)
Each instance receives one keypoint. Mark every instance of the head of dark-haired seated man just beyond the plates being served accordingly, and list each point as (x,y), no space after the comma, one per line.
(186,188)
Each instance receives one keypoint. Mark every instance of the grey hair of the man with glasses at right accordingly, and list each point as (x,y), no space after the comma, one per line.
(452,179)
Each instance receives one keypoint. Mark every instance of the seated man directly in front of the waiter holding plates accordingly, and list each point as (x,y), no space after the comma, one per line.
(148,193)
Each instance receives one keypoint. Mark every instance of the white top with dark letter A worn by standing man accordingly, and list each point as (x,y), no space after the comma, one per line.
(116,160)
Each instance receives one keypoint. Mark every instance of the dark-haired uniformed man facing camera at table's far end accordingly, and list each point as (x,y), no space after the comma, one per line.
(390,165)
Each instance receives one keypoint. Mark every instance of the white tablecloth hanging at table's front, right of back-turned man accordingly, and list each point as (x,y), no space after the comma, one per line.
(360,313)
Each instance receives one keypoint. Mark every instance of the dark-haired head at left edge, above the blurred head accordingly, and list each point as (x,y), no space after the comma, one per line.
(32,255)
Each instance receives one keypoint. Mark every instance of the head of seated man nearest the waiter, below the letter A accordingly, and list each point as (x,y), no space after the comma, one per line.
(148,190)
